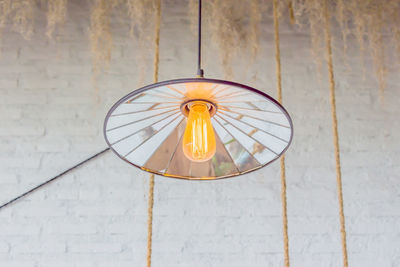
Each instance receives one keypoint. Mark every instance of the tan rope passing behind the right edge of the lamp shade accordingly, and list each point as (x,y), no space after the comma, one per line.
(282,160)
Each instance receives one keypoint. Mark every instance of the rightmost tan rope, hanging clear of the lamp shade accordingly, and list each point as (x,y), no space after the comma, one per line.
(335,131)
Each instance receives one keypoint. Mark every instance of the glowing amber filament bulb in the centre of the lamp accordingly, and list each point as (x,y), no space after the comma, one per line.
(199,139)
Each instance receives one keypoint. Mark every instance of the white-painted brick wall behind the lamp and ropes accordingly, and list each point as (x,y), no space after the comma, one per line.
(97,215)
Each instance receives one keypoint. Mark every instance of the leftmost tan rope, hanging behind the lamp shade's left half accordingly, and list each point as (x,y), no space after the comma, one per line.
(151,182)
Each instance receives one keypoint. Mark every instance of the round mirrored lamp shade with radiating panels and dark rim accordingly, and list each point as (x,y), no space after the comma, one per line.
(249,129)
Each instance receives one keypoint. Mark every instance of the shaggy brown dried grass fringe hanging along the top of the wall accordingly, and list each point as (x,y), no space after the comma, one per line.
(234,26)
